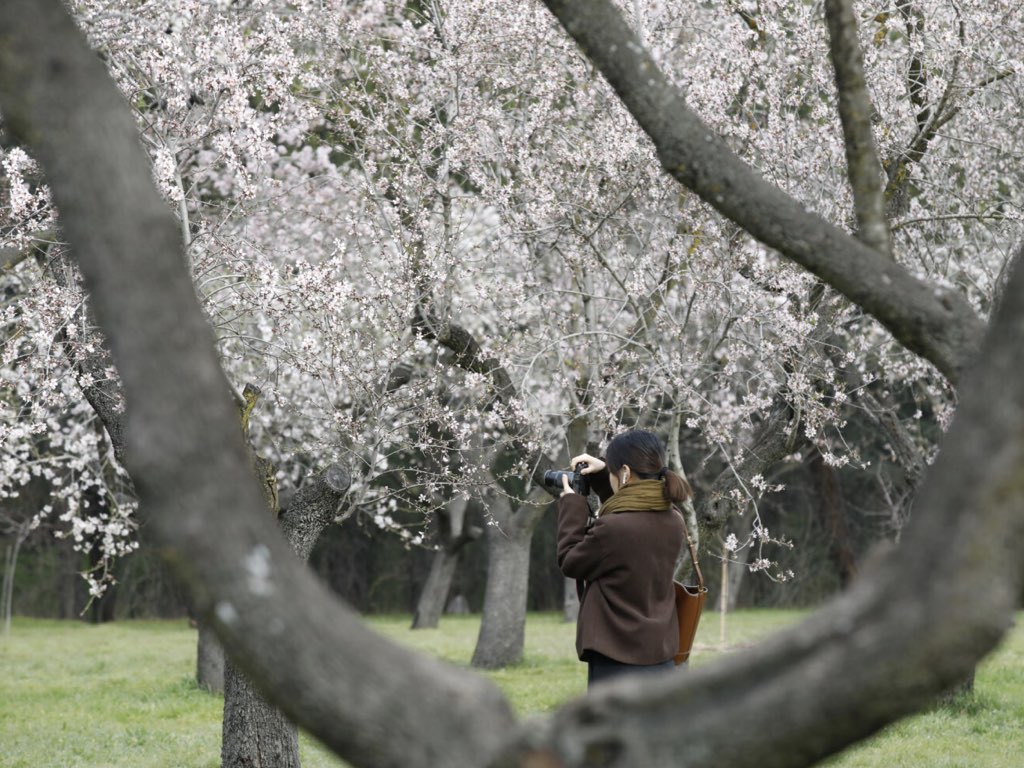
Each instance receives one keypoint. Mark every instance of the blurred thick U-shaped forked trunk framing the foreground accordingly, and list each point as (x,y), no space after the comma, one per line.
(882,651)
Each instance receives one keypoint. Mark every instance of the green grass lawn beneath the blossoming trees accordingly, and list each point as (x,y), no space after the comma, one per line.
(123,694)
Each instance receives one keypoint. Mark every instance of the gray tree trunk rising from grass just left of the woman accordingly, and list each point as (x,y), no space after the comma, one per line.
(503,625)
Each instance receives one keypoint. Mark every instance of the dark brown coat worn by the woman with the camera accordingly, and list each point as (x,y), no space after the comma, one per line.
(627,560)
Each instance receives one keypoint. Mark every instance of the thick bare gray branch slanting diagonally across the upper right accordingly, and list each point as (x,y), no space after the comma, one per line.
(933,322)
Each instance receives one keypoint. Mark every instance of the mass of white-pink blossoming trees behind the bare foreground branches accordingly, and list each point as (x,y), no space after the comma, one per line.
(355,182)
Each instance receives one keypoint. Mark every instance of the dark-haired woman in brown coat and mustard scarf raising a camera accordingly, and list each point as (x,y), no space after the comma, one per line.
(626,559)
